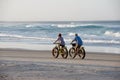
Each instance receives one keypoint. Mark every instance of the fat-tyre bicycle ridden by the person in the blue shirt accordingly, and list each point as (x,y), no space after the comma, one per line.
(73,52)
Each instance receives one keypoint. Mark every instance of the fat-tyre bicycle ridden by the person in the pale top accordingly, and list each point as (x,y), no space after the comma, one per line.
(59,50)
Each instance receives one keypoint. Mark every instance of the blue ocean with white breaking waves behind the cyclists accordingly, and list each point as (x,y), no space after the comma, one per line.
(100,34)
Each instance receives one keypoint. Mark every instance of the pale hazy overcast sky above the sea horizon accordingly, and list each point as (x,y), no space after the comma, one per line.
(59,10)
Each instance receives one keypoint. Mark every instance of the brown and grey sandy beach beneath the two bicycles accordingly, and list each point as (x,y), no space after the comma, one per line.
(16,64)
